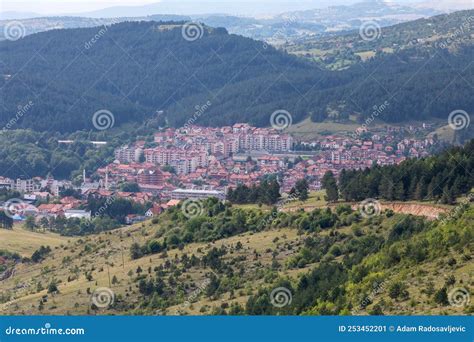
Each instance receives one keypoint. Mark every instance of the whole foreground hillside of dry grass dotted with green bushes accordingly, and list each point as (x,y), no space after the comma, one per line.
(228,261)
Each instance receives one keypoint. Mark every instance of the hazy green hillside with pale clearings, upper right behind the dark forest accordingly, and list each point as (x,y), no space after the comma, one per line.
(445,31)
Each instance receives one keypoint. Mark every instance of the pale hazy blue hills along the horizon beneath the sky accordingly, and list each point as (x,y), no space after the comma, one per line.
(275,29)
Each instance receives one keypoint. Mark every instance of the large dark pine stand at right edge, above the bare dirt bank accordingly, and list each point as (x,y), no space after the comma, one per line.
(442,178)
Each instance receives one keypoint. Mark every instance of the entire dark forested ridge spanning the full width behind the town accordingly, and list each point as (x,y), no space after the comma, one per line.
(138,69)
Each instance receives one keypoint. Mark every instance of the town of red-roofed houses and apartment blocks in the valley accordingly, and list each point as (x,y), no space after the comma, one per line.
(200,162)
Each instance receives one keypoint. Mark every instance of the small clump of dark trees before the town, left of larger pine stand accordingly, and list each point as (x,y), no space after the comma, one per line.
(267,192)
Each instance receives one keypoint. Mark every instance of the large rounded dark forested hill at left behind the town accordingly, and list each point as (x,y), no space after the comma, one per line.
(135,69)
